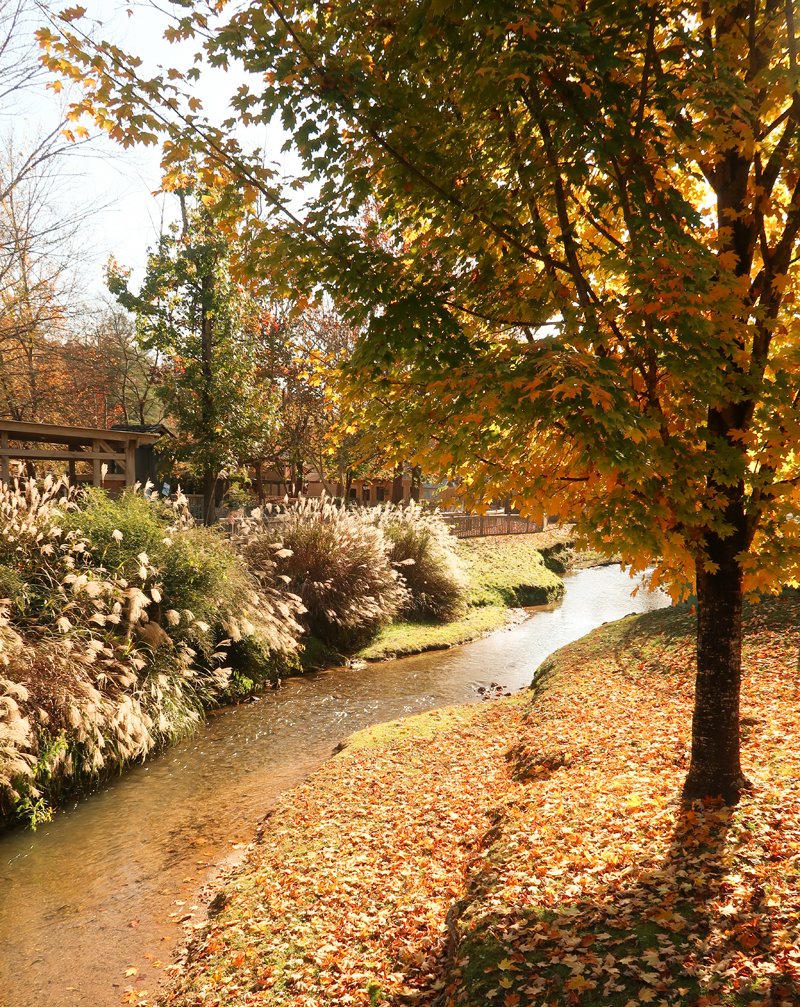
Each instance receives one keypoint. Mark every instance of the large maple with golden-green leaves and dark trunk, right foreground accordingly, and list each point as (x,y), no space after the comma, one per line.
(580,287)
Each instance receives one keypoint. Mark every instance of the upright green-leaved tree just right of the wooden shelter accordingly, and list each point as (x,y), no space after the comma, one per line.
(194,316)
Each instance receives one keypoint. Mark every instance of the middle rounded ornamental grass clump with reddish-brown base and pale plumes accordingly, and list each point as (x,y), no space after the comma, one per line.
(335,560)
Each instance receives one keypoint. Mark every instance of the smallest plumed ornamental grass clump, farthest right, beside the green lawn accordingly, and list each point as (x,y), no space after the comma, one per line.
(423,550)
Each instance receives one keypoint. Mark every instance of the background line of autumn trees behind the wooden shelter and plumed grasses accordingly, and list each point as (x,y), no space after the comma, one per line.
(236,371)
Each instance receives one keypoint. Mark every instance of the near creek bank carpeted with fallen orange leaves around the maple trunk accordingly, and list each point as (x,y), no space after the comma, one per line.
(532,851)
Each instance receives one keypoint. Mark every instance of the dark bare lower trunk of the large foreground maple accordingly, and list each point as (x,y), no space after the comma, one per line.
(716,770)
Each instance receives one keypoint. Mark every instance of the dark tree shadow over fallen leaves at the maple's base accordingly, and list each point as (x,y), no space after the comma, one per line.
(684,926)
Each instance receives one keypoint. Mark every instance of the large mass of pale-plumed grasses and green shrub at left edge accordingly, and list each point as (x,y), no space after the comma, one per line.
(104,658)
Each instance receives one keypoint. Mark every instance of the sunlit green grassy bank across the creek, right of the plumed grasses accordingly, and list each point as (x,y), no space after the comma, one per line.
(504,572)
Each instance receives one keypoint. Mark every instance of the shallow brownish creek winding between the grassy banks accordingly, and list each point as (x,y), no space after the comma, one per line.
(90,895)
